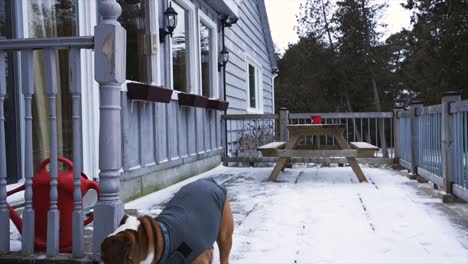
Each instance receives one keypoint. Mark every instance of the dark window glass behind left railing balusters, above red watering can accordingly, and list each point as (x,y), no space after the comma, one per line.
(48,19)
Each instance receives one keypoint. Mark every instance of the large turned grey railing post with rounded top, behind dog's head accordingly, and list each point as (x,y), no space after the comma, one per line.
(110,61)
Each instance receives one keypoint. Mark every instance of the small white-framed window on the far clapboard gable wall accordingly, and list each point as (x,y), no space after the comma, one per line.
(254,86)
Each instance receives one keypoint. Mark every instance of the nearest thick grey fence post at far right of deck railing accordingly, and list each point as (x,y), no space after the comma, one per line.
(447,143)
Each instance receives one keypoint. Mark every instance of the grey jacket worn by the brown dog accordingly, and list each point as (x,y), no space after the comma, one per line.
(192,218)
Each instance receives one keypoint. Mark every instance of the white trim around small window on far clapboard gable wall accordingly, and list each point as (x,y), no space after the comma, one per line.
(259,85)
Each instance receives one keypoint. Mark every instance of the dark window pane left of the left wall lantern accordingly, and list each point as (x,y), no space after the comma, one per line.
(133,20)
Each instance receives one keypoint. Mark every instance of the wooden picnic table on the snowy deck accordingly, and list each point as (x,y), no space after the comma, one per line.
(291,148)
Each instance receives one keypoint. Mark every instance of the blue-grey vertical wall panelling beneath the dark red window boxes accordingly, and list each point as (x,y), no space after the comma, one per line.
(157,136)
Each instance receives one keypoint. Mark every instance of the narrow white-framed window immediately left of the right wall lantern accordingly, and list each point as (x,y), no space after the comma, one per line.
(208,57)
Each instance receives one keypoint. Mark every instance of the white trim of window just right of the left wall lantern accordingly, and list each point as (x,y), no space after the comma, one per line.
(193,67)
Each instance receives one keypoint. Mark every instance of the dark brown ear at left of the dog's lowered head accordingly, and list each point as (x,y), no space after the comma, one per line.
(116,249)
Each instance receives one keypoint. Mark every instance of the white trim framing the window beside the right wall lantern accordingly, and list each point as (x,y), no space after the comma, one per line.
(214,87)
